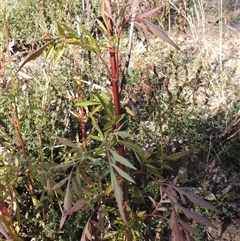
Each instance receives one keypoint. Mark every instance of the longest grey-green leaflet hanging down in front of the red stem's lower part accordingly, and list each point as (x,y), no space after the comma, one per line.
(118,194)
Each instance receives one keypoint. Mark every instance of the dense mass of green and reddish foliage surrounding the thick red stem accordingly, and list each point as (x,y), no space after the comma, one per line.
(79,178)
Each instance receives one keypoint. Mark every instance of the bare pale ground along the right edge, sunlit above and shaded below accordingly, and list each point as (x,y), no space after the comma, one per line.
(220,48)
